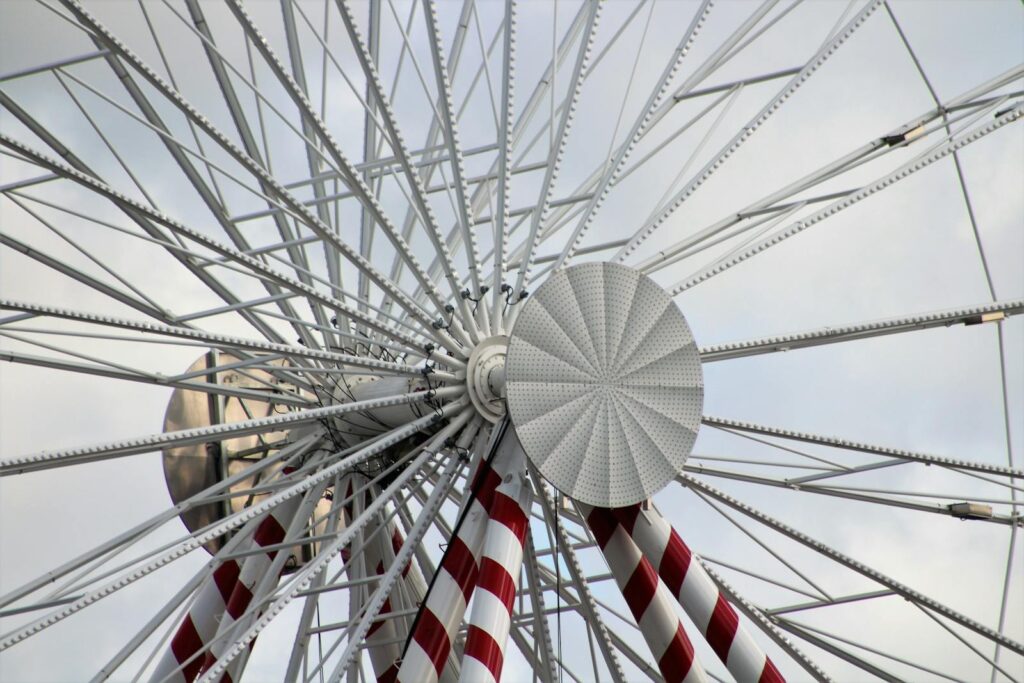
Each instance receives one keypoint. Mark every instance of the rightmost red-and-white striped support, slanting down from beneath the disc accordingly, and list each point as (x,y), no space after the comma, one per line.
(699,595)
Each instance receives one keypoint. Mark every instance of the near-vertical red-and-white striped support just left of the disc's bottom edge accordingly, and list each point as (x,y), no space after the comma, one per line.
(501,565)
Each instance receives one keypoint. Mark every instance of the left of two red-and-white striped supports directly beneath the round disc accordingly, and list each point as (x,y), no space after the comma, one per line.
(652,604)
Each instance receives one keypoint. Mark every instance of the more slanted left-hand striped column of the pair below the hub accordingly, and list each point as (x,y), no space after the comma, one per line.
(442,615)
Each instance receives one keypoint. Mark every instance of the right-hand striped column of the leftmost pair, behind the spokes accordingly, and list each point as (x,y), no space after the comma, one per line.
(271,531)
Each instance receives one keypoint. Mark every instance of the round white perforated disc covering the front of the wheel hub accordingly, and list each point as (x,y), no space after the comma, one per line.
(605,385)
